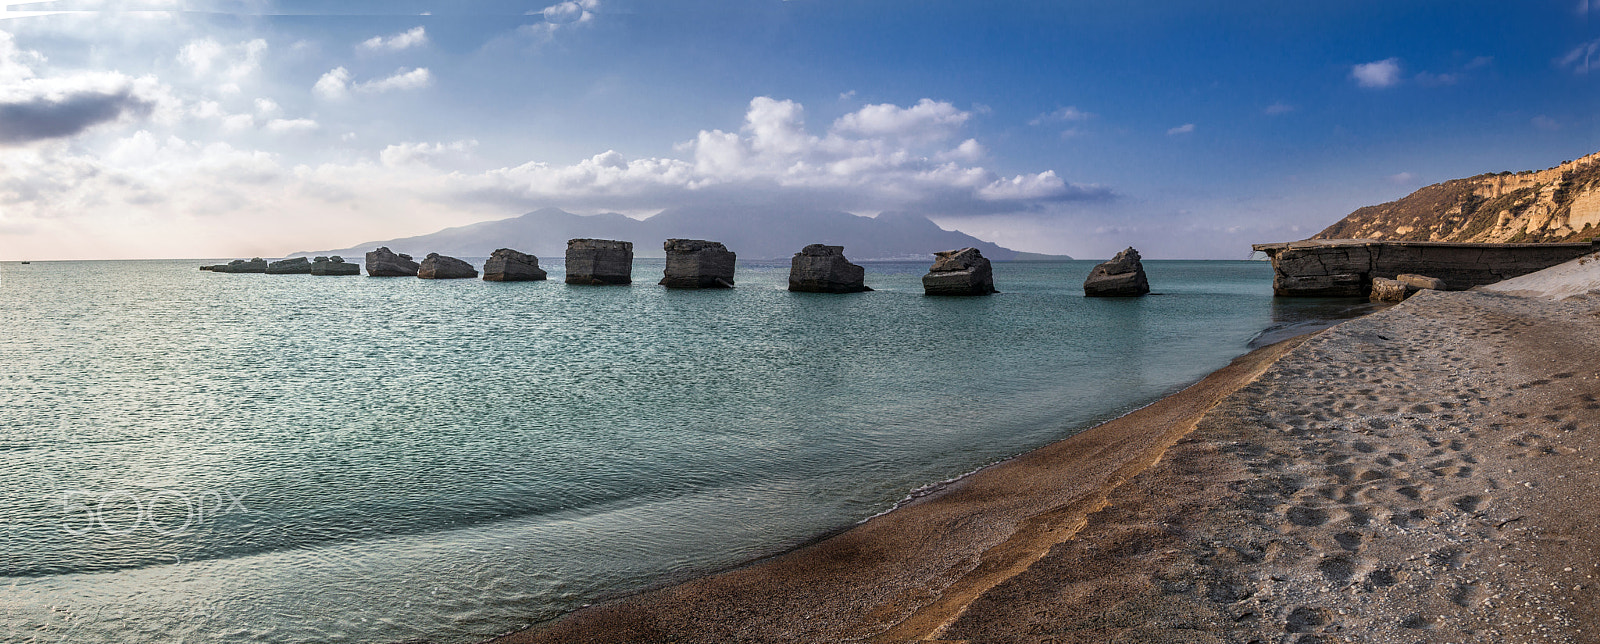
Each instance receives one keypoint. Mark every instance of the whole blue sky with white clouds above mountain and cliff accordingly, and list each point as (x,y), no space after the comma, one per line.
(217,129)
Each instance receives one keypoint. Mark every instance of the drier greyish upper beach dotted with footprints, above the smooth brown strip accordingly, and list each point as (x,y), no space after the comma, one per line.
(1422,475)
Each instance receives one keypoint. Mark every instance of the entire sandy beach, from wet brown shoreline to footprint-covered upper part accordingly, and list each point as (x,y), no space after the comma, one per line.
(1420,475)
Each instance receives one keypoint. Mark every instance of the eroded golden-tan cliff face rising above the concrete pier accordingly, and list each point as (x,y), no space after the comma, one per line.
(1561,204)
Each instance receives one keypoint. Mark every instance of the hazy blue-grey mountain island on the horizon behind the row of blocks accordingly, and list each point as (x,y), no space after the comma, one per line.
(754,235)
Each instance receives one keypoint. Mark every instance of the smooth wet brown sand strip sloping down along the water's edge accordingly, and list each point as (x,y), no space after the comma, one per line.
(911,573)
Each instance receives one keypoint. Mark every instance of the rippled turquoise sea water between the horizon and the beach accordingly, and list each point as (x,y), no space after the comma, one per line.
(207,457)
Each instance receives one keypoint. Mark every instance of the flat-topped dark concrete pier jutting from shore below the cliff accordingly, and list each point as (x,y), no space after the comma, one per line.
(1345,268)
